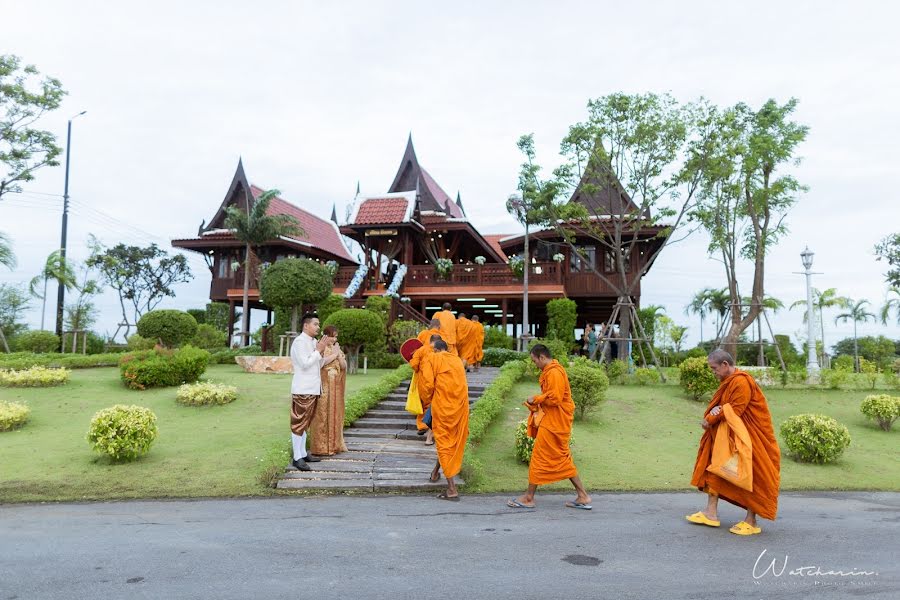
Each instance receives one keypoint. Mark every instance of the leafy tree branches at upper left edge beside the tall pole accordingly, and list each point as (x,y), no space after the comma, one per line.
(25,97)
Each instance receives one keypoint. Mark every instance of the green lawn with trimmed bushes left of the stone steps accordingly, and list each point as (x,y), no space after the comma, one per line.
(200,451)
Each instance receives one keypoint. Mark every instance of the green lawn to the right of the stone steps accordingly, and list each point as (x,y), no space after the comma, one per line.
(645,438)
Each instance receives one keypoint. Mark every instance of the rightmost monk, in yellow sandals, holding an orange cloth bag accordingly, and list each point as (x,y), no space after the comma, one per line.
(739,390)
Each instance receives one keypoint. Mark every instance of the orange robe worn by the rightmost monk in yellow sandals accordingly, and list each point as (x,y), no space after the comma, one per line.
(749,404)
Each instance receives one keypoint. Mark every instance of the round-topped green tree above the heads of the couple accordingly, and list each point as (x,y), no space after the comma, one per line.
(291,283)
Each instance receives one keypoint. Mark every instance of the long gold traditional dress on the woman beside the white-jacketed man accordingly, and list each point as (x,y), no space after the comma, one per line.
(327,429)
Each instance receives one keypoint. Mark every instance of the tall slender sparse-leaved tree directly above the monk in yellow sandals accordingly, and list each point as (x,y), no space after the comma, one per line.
(746,194)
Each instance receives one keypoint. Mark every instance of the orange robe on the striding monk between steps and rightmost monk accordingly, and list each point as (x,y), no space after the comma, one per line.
(551,459)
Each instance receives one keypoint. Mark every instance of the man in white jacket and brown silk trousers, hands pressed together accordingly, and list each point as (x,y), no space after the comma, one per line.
(306,385)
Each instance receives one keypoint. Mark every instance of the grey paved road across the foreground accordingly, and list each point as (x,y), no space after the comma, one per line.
(629,546)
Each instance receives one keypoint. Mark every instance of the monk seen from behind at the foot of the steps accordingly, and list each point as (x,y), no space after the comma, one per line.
(443,383)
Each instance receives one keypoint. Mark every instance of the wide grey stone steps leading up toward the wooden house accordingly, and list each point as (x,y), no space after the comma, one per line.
(384,451)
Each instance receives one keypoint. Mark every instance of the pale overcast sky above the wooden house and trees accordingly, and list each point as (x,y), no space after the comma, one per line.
(316,97)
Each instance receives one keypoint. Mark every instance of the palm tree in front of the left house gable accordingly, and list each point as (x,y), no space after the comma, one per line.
(254,227)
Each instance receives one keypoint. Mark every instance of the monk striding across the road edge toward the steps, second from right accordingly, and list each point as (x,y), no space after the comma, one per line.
(550,424)
